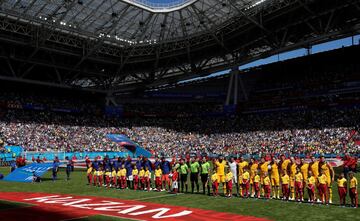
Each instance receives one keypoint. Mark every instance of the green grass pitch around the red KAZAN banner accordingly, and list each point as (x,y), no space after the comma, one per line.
(271,209)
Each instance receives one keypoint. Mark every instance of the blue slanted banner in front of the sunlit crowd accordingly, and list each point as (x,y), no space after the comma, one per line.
(130,145)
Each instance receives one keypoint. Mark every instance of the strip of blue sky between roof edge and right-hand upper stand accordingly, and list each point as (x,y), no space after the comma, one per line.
(331,45)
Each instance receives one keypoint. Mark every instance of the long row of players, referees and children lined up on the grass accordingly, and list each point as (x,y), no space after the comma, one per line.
(287,179)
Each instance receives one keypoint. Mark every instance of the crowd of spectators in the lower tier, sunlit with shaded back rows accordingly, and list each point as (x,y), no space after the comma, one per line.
(331,131)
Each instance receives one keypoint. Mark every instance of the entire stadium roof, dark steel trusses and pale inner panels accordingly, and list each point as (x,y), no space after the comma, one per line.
(120,45)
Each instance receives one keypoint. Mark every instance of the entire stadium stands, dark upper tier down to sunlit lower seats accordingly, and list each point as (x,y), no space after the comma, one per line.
(305,112)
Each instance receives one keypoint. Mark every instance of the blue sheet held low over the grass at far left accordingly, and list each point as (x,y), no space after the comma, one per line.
(26,173)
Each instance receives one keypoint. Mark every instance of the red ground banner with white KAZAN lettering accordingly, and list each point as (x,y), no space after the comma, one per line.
(60,207)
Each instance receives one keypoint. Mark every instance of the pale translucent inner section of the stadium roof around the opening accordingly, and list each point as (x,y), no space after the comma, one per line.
(130,21)
